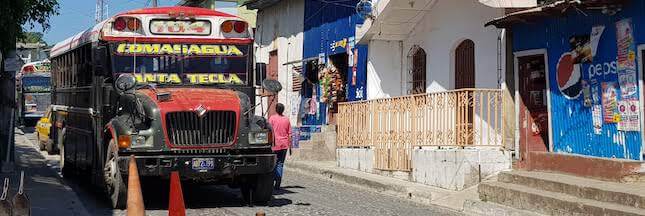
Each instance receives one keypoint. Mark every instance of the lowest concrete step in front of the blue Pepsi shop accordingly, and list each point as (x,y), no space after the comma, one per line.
(548,202)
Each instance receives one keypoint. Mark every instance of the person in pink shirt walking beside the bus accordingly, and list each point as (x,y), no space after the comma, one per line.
(282,141)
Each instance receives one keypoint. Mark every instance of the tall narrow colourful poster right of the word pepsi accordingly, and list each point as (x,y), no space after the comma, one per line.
(626,60)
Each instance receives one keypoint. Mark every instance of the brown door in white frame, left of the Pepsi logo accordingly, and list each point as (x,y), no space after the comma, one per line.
(533,110)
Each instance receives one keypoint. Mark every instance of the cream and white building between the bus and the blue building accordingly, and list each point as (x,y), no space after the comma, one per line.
(279,43)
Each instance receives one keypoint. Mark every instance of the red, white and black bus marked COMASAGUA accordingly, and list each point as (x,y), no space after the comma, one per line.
(172,86)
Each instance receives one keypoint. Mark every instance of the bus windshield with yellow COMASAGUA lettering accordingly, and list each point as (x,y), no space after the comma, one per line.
(203,64)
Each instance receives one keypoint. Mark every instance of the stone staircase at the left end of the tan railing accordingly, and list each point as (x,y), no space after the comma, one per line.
(321,146)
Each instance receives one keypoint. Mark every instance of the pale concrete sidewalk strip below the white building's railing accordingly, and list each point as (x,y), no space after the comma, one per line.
(465,201)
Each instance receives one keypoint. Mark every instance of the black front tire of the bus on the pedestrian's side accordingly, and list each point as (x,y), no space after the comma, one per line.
(257,189)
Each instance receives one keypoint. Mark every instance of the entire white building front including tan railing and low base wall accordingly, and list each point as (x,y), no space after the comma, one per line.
(439,112)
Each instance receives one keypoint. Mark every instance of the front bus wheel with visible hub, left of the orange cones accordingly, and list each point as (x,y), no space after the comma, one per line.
(115,187)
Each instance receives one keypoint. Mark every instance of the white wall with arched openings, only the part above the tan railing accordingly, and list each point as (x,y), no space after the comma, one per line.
(437,28)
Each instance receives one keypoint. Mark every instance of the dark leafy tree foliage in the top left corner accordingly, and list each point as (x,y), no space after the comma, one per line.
(16,13)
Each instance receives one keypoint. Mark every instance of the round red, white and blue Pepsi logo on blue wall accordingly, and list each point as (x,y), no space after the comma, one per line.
(569,76)
